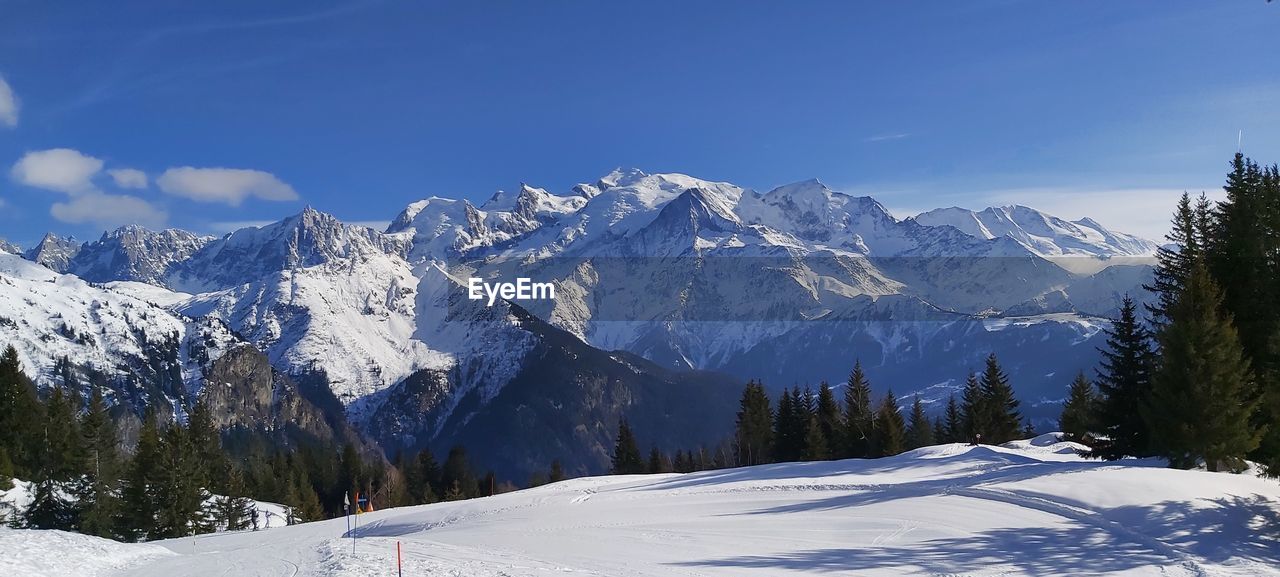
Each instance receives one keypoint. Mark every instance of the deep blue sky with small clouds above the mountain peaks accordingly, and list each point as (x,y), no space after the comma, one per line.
(217,116)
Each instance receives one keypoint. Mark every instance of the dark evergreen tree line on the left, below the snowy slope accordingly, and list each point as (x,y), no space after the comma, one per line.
(184,478)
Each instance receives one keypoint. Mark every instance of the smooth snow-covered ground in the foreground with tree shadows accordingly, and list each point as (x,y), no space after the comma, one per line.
(1032,509)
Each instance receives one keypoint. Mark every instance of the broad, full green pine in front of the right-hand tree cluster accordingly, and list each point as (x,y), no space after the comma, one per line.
(1203,396)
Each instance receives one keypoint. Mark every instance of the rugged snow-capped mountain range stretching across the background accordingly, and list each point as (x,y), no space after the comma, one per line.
(671,292)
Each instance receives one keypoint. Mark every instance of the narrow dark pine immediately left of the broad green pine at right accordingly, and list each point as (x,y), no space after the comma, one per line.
(1124,384)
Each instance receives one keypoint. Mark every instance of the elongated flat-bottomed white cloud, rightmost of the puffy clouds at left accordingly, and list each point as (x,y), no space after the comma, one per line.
(230,186)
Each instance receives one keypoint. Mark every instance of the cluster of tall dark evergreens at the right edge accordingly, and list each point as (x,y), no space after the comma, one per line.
(1196,377)
